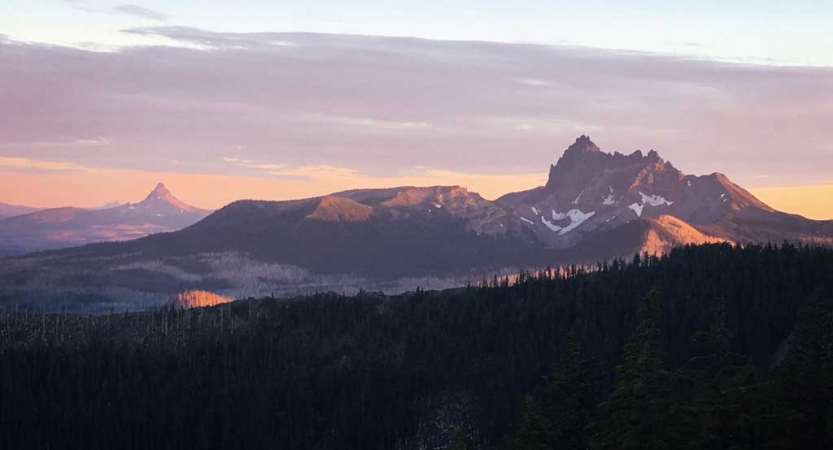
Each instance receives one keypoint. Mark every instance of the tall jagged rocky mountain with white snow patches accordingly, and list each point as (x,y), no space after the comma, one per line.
(592,191)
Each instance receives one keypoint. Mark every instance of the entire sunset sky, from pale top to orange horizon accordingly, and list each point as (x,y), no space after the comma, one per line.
(99,100)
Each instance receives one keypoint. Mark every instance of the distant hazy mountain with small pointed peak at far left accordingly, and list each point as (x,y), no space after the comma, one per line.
(161,211)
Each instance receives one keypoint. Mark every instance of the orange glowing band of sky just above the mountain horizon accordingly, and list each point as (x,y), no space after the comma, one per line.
(98,187)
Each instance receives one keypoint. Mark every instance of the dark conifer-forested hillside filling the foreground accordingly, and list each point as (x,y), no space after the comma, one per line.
(716,347)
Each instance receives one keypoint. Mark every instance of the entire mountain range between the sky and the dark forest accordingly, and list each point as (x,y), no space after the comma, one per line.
(595,206)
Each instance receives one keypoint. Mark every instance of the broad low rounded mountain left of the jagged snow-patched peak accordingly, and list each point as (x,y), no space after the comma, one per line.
(372,233)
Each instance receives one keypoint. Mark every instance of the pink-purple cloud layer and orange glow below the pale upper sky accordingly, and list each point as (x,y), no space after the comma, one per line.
(277,116)
